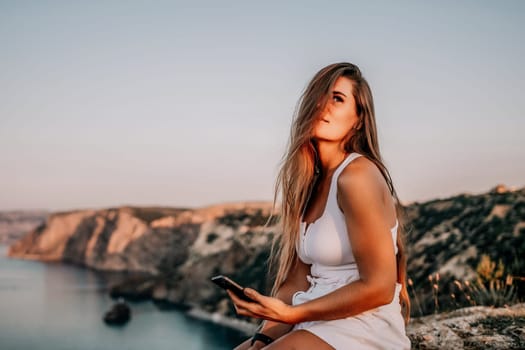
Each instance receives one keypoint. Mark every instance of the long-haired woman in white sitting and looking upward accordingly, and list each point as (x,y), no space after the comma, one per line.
(341,272)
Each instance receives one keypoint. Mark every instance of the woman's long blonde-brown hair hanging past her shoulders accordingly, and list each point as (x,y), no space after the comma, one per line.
(296,177)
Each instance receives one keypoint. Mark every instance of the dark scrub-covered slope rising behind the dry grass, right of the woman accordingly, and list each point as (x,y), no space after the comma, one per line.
(449,236)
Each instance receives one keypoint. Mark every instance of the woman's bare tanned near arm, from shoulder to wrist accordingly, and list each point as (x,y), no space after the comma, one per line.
(361,187)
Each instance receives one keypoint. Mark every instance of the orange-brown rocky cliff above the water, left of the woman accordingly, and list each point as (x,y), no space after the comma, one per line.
(178,249)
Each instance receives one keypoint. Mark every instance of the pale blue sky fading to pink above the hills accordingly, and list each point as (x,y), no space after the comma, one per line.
(189,104)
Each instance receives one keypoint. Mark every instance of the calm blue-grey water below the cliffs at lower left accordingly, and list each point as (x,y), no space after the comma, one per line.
(58,306)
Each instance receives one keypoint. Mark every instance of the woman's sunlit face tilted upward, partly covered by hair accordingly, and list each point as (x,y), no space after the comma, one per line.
(340,115)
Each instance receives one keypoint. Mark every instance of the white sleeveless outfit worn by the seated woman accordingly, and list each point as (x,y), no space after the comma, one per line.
(327,248)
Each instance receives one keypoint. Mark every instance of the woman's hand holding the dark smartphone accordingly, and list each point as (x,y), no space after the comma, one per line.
(265,307)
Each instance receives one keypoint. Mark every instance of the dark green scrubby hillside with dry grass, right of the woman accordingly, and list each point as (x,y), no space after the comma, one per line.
(484,233)
